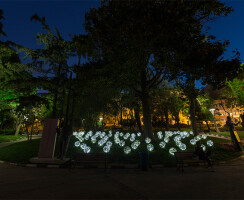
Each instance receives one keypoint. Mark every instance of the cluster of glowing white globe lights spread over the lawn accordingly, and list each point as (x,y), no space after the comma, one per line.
(105,139)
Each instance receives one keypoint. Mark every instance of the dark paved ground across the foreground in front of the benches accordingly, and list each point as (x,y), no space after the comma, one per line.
(166,183)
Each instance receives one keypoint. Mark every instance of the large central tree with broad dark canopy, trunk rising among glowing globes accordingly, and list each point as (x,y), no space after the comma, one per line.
(139,39)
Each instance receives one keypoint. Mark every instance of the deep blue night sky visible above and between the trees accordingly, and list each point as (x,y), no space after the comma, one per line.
(68,17)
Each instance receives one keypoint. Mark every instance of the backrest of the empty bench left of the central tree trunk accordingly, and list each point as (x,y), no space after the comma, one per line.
(90,156)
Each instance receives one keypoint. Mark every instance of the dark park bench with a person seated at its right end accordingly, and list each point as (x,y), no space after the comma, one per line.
(186,158)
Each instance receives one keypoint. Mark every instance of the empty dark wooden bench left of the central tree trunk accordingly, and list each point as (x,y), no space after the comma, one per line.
(91,158)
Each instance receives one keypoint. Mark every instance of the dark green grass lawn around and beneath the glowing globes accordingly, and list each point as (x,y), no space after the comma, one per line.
(21,152)
